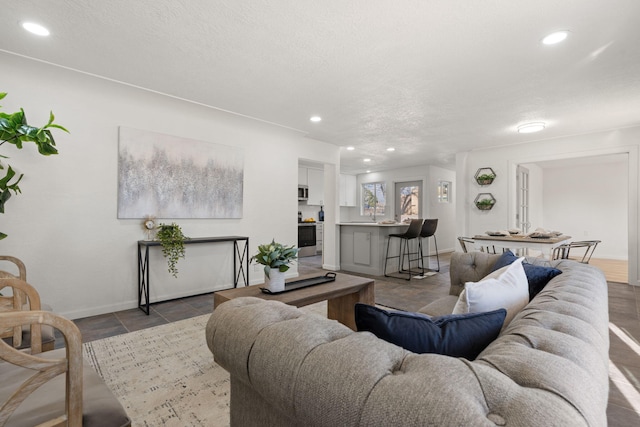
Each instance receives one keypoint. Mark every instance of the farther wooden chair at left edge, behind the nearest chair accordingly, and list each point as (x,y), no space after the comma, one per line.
(19,336)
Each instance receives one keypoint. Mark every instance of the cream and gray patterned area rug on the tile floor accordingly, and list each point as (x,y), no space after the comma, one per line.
(165,375)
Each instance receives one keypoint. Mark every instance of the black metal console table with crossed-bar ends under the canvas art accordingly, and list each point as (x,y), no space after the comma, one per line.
(240,263)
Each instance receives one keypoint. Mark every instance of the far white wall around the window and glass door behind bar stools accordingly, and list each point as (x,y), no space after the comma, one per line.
(431,208)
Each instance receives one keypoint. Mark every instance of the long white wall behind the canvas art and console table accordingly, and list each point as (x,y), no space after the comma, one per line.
(79,256)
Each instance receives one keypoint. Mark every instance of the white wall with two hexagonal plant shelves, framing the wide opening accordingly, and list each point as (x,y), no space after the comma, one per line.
(504,161)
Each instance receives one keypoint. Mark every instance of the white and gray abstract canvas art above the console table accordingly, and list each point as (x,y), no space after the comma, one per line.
(172,177)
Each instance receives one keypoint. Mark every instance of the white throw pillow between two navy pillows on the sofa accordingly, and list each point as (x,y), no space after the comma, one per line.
(506,288)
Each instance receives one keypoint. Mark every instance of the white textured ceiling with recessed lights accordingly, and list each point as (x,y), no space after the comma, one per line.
(428,77)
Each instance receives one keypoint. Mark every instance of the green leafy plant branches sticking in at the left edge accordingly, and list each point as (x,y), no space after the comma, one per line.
(15,130)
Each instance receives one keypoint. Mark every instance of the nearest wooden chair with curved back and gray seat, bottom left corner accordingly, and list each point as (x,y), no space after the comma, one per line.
(50,389)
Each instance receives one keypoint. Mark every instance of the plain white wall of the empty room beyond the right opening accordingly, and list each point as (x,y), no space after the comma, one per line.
(589,203)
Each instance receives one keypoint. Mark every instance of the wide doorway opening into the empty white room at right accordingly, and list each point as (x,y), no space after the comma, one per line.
(565,195)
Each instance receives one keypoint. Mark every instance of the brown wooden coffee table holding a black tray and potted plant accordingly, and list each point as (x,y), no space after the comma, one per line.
(341,295)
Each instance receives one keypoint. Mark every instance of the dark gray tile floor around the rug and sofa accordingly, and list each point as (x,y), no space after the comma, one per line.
(624,316)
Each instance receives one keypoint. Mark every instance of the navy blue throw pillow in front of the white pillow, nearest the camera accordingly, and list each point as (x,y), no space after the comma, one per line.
(456,335)
